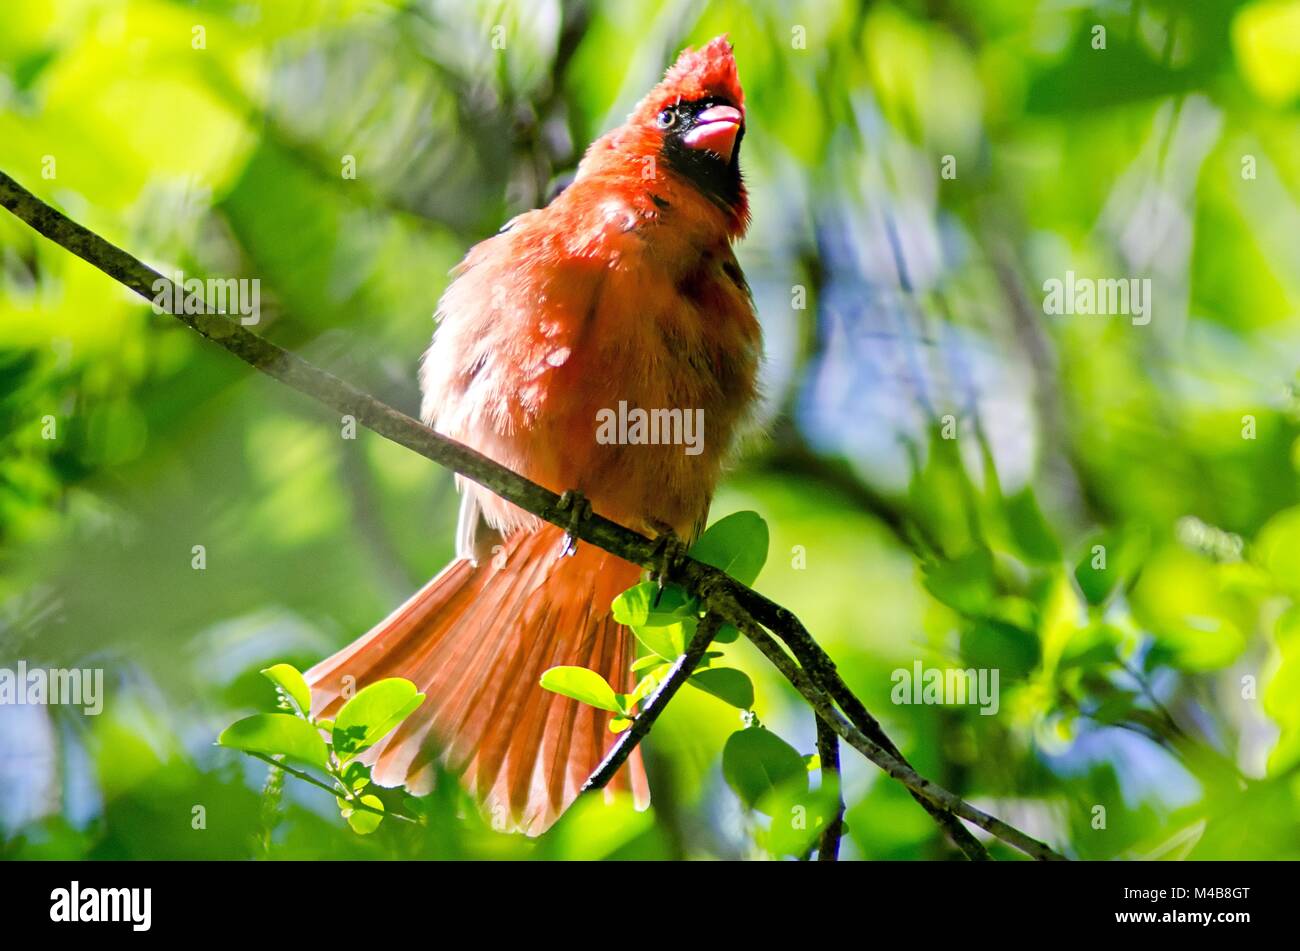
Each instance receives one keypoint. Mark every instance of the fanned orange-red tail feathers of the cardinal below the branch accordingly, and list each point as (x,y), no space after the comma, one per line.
(476,641)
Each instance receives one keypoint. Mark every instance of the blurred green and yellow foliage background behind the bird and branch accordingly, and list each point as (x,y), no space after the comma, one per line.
(1164,688)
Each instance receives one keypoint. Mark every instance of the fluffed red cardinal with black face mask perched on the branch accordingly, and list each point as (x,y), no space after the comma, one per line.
(623,289)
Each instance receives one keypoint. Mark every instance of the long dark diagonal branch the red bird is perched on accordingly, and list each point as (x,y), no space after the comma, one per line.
(720,594)
